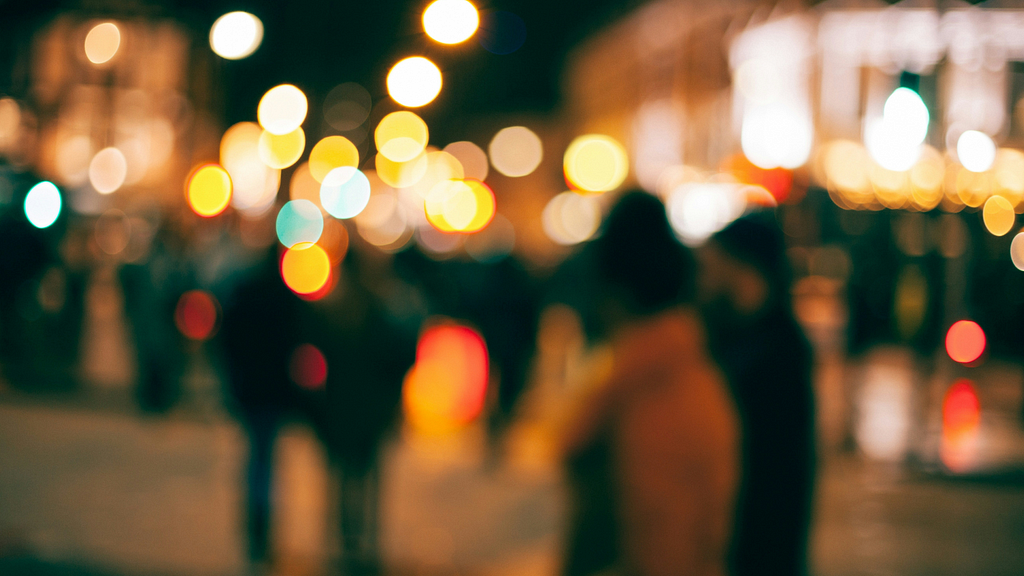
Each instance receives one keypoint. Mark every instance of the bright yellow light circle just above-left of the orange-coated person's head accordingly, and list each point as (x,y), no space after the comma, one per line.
(595,163)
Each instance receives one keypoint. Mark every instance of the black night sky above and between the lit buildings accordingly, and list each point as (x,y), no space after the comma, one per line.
(318,45)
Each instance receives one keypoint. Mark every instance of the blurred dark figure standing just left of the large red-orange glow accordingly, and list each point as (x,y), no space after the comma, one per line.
(368,351)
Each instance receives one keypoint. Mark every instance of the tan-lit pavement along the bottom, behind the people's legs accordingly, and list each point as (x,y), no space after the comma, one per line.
(93,492)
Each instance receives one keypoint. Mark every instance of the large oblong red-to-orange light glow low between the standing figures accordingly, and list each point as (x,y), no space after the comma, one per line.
(447,388)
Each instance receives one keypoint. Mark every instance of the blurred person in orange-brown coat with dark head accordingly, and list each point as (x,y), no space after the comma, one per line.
(664,422)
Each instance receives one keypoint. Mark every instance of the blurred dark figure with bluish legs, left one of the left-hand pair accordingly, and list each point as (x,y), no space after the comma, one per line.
(259,336)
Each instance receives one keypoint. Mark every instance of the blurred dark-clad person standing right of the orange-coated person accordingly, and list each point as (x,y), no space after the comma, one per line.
(767,361)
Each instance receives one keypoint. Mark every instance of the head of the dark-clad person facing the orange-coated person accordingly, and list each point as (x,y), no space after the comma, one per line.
(745,267)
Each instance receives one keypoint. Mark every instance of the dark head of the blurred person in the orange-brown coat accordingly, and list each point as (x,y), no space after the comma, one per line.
(642,265)
